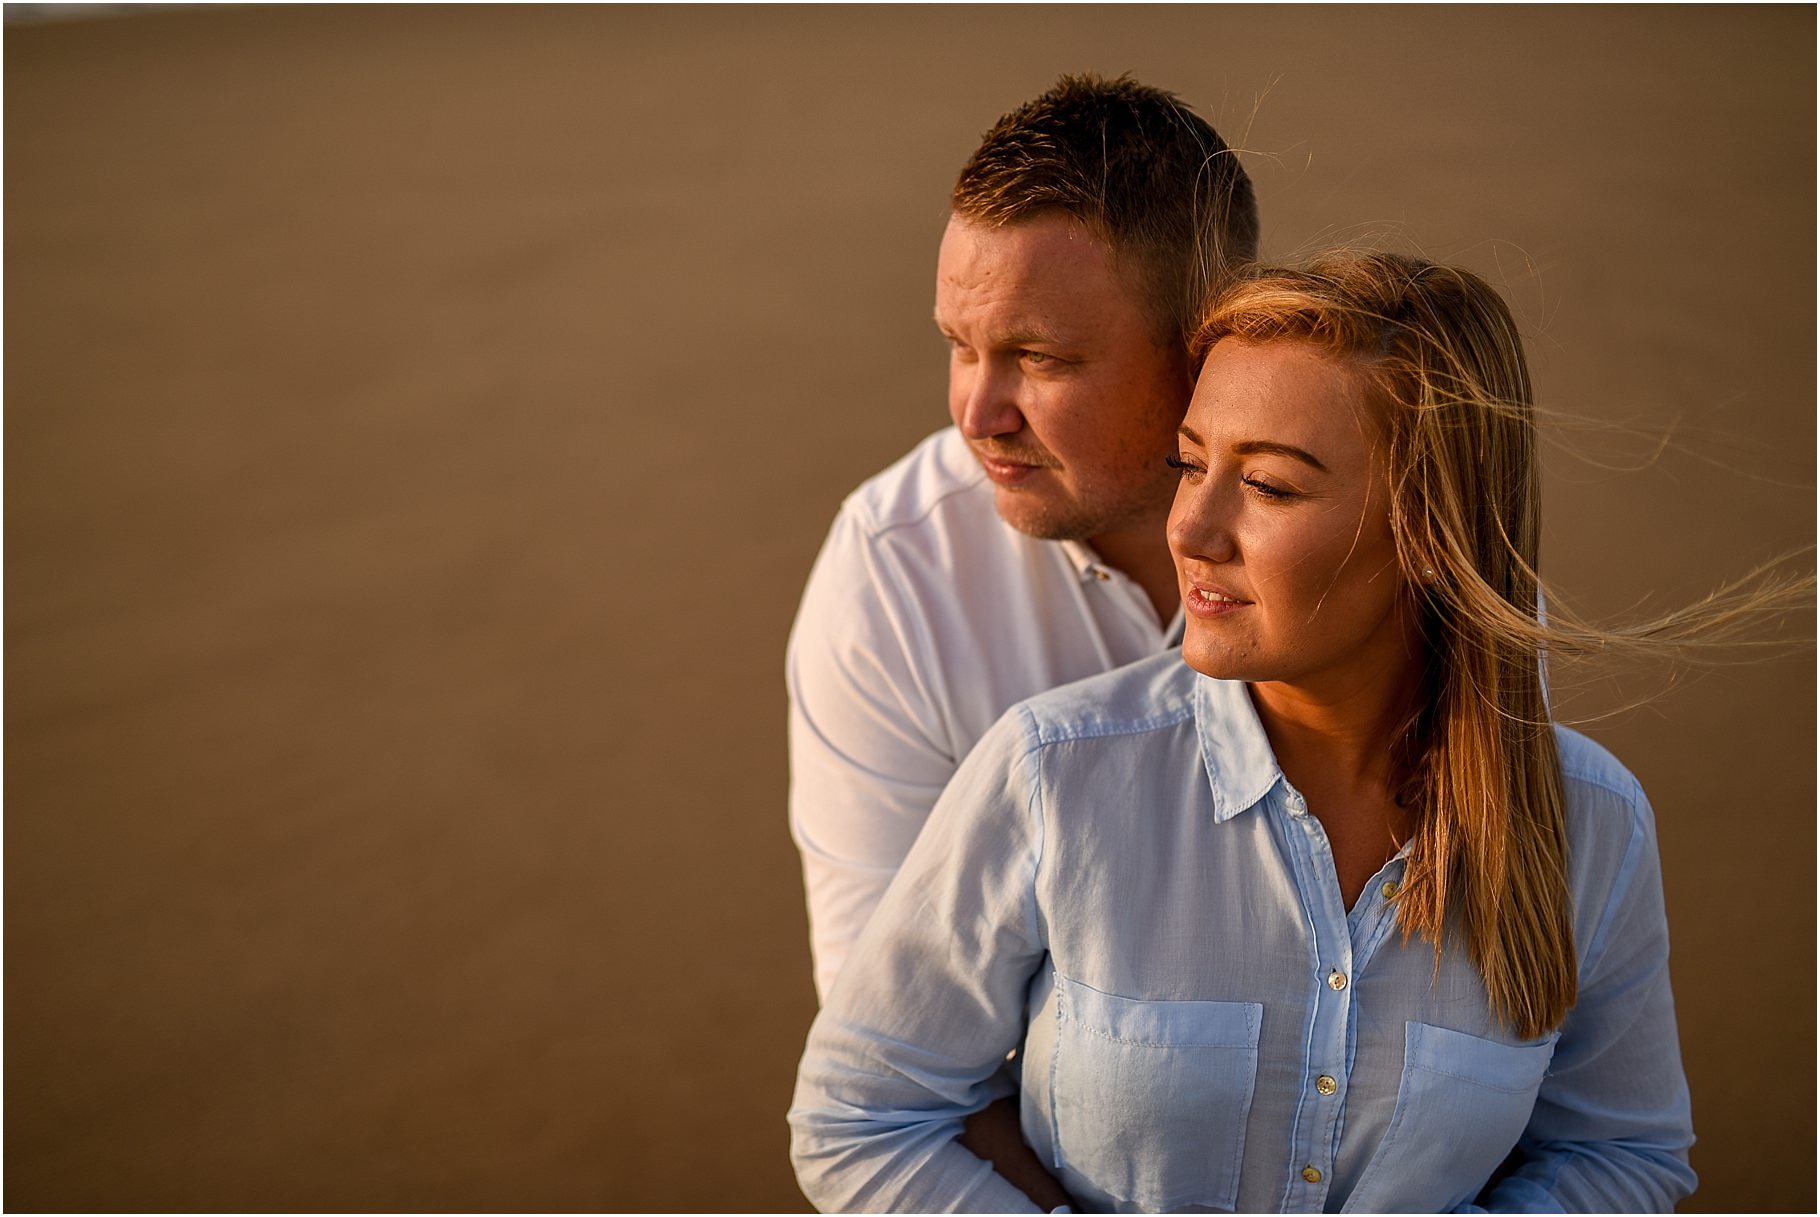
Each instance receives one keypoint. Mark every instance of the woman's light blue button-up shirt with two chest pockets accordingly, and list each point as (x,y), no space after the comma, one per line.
(1122,883)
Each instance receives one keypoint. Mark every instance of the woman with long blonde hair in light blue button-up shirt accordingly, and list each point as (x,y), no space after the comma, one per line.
(1320,914)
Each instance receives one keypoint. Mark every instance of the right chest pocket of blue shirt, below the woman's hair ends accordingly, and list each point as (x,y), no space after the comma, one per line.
(1461,1109)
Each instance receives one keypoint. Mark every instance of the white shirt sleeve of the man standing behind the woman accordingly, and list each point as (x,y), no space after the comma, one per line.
(869,749)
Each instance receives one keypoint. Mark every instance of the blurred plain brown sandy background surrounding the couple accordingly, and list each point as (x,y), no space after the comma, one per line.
(420,423)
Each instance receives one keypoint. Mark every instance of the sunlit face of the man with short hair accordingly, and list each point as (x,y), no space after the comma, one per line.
(1058,377)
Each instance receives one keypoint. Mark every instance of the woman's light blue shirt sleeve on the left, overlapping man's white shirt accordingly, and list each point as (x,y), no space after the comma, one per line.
(929,1005)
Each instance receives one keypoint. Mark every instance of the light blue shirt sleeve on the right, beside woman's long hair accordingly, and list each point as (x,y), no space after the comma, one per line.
(1613,1123)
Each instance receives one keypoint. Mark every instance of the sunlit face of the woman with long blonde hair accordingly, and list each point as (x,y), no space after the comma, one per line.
(1282,527)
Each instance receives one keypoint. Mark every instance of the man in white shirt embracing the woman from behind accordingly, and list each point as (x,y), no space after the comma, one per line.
(1022,548)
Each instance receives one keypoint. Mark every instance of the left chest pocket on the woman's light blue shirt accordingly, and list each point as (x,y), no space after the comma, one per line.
(1149,1100)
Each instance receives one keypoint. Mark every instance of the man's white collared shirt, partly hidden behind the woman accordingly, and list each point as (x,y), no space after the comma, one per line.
(925,618)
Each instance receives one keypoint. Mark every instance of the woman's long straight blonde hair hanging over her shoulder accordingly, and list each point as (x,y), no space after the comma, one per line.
(1446,374)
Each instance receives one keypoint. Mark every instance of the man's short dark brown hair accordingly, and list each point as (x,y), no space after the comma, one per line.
(1140,170)
